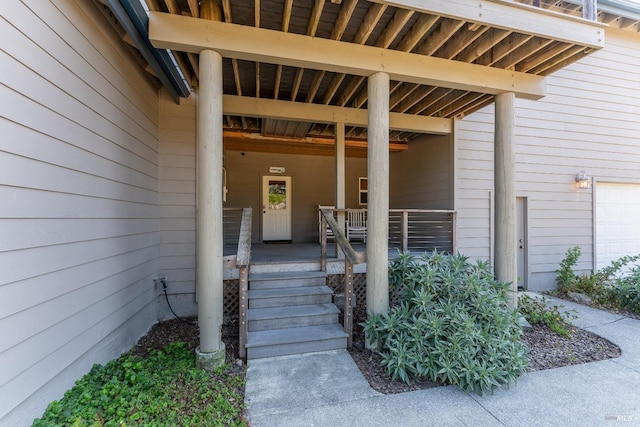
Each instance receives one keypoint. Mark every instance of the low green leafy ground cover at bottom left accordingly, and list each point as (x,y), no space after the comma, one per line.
(164,389)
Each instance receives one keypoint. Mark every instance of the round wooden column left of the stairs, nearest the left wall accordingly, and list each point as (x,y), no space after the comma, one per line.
(209,204)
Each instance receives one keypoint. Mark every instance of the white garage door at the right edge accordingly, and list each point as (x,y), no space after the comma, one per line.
(617,221)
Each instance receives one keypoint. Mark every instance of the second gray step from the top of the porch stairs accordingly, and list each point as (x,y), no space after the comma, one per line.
(279,297)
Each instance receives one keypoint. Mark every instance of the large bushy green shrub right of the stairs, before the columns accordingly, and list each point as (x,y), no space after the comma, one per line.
(451,325)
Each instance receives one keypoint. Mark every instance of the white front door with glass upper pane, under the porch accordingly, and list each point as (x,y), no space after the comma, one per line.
(276,208)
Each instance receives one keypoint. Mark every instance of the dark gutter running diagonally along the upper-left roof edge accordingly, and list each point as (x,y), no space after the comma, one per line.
(135,22)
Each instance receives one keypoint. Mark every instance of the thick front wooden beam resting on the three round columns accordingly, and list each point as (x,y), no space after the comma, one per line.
(188,34)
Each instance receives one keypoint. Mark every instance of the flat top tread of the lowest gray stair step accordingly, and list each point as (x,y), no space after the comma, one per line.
(295,335)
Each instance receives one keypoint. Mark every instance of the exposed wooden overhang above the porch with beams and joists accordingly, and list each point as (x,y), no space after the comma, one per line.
(302,60)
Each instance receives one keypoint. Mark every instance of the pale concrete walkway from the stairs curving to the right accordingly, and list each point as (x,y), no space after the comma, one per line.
(327,389)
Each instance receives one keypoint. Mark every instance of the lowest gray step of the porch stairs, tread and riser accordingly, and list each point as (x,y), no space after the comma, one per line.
(307,339)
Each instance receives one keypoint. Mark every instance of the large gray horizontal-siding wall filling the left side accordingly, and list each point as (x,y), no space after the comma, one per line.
(79,239)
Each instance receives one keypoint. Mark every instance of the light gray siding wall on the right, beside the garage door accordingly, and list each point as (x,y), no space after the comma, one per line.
(588,121)
